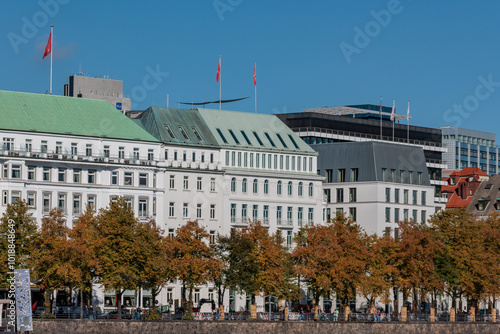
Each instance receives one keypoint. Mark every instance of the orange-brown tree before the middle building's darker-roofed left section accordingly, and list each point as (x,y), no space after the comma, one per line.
(191,259)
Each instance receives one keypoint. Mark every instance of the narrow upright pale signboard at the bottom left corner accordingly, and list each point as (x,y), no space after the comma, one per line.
(23,299)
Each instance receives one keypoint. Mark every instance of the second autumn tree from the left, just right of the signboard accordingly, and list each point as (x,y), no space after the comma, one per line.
(51,257)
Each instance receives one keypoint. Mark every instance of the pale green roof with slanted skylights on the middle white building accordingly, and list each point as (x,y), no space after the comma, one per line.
(222,129)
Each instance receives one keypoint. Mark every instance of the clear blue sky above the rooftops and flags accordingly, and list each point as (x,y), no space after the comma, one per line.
(431,53)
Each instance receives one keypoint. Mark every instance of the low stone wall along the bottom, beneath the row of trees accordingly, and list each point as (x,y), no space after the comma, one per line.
(178,327)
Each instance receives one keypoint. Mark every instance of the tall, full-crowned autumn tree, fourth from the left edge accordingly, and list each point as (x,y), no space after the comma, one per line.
(117,249)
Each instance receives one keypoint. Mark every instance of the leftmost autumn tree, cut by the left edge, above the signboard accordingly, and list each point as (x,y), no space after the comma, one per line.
(25,232)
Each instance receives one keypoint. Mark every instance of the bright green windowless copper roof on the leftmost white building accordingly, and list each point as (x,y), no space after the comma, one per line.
(66,115)
